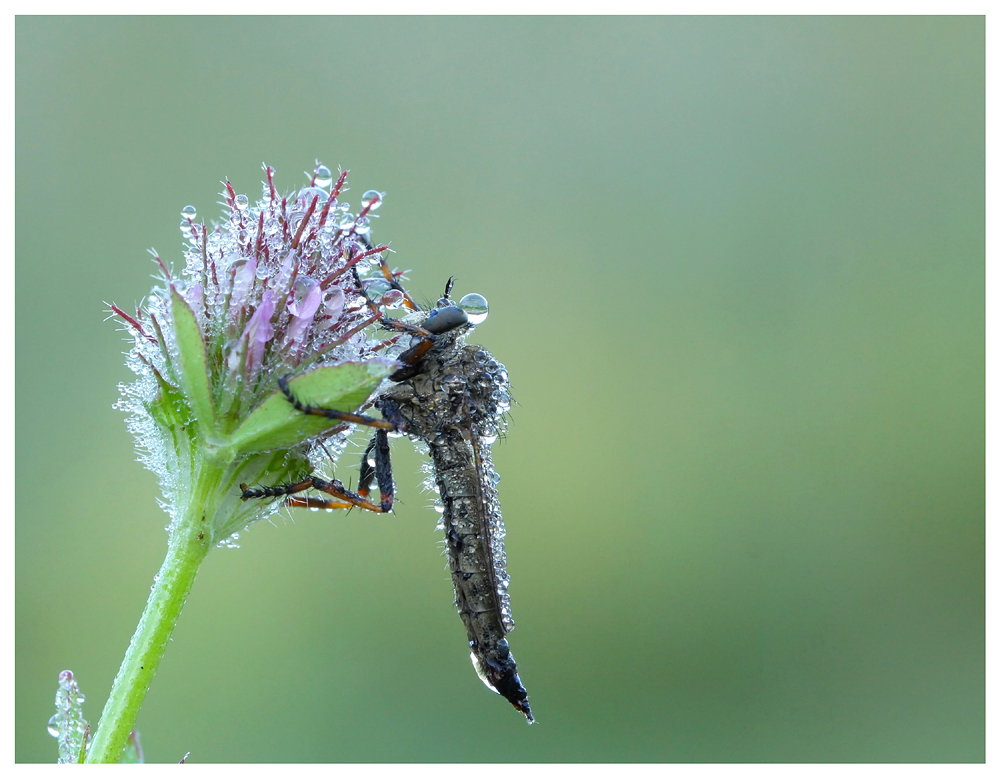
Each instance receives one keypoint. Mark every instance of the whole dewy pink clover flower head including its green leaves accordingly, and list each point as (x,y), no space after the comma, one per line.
(272,290)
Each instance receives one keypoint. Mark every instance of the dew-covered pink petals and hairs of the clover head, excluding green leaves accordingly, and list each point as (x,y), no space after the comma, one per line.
(272,286)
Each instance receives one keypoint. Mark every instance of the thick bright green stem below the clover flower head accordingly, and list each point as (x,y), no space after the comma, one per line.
(189,542)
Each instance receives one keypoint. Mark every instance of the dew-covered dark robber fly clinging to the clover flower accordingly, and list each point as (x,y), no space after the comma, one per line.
(452,397)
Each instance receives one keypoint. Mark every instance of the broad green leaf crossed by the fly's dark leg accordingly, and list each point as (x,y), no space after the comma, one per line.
(343,387)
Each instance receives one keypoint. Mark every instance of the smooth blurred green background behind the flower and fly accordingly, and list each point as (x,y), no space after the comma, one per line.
(736,273)
